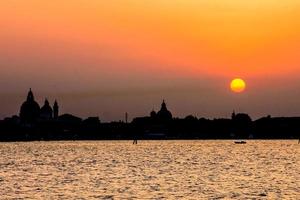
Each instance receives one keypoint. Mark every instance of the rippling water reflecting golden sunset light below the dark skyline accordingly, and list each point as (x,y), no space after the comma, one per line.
(150,170)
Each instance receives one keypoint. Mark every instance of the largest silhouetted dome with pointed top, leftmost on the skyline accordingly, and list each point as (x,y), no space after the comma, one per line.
(30,109)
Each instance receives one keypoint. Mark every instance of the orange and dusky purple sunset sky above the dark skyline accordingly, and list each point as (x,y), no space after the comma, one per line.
(105,58)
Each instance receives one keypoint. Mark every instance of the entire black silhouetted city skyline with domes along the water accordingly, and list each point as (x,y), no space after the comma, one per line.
(35,123)
